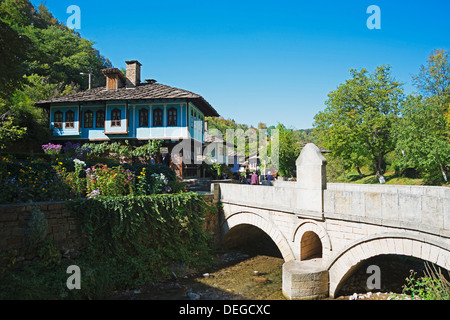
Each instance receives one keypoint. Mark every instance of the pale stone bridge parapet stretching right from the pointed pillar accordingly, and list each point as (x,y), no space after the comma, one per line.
(419,208)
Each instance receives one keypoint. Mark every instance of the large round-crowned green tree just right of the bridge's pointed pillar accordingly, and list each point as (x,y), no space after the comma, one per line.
(357,124)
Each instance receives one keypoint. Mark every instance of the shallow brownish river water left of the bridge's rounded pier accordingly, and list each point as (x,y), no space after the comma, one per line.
(238,276)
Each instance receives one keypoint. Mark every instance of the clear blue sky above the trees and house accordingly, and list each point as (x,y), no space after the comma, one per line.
(262,61)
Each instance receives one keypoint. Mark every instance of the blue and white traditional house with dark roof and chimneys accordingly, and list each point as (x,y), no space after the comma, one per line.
(127,108)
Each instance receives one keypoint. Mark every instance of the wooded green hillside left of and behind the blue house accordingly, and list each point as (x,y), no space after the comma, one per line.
(39,57)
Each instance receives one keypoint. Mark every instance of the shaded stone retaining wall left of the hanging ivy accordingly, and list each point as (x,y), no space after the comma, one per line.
(15,226)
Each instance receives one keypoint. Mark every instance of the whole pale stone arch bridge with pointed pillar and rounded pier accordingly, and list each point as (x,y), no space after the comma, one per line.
(324,230)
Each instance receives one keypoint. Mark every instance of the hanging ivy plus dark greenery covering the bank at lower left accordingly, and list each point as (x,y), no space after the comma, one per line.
(129,242)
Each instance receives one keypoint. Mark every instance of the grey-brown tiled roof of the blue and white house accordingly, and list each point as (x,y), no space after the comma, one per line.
(144,91)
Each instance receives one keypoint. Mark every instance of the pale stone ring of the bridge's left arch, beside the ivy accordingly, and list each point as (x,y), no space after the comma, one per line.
(254,219)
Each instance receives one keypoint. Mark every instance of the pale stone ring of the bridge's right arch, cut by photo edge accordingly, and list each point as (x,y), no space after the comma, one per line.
(344,263)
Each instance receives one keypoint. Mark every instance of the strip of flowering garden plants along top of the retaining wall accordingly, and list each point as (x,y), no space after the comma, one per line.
(62,180)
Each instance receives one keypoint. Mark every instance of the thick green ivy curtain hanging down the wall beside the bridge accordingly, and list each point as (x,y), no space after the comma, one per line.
(140,238)
